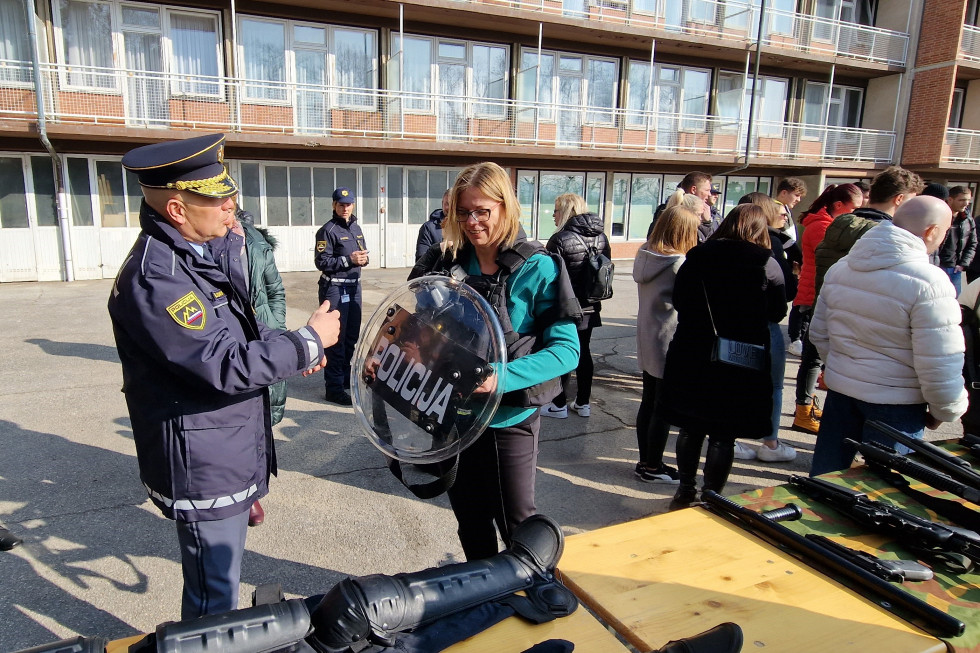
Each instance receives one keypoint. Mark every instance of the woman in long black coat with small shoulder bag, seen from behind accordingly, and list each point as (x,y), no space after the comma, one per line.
(730,286)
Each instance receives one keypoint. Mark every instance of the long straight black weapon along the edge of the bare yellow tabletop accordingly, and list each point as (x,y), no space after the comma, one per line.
(890,597)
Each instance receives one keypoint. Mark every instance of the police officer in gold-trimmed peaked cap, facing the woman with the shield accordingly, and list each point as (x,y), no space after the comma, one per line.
(197,364)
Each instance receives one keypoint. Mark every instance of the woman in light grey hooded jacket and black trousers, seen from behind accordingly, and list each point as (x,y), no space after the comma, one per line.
(654,270)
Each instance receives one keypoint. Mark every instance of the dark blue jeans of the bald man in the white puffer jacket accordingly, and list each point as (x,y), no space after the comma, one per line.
(846,417)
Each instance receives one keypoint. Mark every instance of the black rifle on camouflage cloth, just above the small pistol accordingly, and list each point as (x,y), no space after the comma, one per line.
(922,536)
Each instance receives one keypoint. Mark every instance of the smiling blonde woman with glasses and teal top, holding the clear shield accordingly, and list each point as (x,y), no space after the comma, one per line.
(495,479)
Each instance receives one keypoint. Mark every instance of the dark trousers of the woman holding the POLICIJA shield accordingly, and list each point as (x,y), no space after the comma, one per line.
(495,486)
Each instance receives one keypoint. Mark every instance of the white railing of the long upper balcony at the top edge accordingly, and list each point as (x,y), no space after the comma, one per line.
(736,22)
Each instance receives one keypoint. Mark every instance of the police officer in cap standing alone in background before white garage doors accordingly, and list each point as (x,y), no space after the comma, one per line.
(340,255)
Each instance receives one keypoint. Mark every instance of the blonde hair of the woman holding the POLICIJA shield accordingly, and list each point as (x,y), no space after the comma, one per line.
(491,180)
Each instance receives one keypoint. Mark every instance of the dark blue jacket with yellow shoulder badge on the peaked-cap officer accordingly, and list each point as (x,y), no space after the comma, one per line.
(196,364)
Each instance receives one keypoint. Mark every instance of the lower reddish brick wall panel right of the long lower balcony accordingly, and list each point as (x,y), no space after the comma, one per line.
(929,103)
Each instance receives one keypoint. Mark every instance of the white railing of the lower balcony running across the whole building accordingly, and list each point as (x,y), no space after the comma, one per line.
(99,96)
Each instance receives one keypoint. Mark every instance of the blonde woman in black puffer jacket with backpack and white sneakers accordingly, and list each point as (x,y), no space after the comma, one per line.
(578,230)
